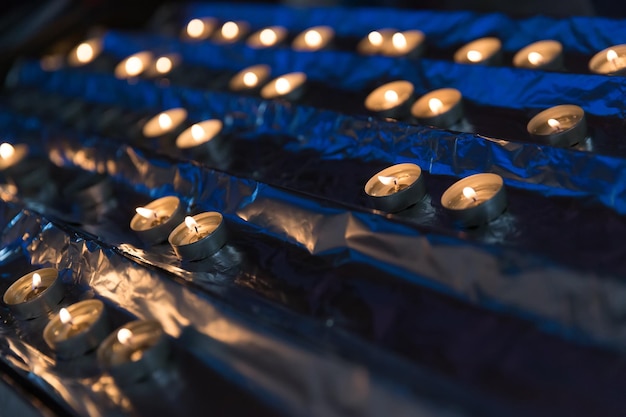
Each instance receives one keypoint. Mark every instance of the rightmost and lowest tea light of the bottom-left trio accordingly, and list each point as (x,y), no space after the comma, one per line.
(134,351)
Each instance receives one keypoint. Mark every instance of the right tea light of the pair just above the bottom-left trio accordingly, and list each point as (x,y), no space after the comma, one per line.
(198,237)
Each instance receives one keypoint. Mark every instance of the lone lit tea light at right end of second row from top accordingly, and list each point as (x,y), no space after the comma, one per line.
(563,125)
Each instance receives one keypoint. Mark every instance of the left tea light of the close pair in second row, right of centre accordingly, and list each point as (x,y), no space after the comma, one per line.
(393,99)
